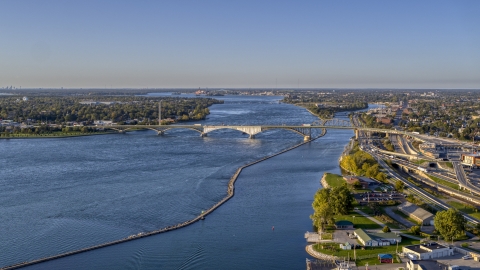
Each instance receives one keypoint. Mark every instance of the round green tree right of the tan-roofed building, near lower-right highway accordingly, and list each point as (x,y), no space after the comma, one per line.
(450,223)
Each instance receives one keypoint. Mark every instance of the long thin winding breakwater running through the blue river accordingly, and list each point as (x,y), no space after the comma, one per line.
(230,194)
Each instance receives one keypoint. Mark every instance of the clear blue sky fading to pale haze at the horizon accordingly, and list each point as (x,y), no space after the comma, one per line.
(227,43)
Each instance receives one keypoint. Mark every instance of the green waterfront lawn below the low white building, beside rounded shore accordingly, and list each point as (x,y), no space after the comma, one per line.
(368,250)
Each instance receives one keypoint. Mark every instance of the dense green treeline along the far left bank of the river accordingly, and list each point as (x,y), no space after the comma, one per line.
(55,109)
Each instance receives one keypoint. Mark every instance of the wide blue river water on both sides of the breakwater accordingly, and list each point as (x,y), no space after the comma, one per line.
(59,195)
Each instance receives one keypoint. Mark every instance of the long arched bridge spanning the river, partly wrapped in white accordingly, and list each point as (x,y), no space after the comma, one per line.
(252,130)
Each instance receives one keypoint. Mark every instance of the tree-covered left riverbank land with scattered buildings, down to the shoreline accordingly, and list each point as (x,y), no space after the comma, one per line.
(48,114)
